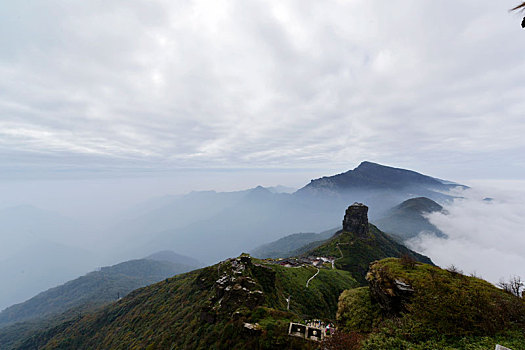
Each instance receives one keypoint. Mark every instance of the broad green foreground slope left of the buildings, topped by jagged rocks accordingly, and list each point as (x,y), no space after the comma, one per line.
(207,308)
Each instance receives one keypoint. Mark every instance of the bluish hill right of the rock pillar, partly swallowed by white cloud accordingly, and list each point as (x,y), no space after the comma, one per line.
(408,220)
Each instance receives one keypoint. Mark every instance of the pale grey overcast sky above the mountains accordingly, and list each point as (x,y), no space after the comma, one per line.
(434,86)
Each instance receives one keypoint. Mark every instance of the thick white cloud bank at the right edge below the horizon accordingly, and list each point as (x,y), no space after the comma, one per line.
(484,237)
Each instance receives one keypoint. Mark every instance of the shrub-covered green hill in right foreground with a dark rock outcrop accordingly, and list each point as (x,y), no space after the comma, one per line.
(410,305)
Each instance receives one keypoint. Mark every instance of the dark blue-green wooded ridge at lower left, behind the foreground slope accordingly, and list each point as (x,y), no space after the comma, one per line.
(79,296)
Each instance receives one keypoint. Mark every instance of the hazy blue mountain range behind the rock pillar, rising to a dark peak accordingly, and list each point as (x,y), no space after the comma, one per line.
(216,217)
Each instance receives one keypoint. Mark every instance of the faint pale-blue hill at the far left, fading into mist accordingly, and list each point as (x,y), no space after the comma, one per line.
(38,249)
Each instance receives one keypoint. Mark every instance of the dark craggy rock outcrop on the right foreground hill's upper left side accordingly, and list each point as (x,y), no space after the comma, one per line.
(391,293)
